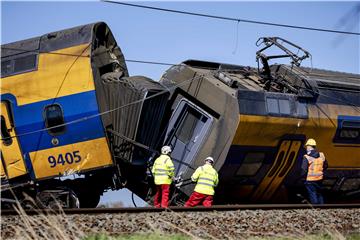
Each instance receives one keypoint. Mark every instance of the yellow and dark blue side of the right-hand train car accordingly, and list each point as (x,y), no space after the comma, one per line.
(267,151)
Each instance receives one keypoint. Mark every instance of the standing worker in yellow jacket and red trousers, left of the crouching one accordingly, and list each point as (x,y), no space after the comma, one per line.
(163,172)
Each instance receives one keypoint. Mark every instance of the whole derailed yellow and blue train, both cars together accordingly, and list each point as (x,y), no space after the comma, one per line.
(103,127)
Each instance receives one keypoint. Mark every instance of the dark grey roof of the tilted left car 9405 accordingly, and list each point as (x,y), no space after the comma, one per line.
(98,36)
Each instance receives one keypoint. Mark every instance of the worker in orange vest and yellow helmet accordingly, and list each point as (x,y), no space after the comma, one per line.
(313,166)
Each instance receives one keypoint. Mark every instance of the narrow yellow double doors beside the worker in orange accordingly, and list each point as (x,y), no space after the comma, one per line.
(282,164)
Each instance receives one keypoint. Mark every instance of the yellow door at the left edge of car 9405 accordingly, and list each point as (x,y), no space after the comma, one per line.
(12,161)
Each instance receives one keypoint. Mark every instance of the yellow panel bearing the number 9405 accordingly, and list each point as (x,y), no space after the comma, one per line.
(72,158)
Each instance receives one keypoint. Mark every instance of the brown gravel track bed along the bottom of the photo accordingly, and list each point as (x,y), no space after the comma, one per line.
(219,222)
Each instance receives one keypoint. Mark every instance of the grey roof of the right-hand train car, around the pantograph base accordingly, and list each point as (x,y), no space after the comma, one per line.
(249,78)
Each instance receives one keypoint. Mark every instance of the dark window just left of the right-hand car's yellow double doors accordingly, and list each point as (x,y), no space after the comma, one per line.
(251,164)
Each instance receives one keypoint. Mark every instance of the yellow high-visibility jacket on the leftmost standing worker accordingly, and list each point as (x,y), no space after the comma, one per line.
(163,170)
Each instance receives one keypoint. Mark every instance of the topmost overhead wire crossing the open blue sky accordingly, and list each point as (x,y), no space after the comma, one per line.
(232,18)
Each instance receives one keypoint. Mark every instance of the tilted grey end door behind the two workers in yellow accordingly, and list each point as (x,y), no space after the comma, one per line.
(187,128)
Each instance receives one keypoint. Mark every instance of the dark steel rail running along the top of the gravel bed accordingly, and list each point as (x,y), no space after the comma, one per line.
(182,209)
